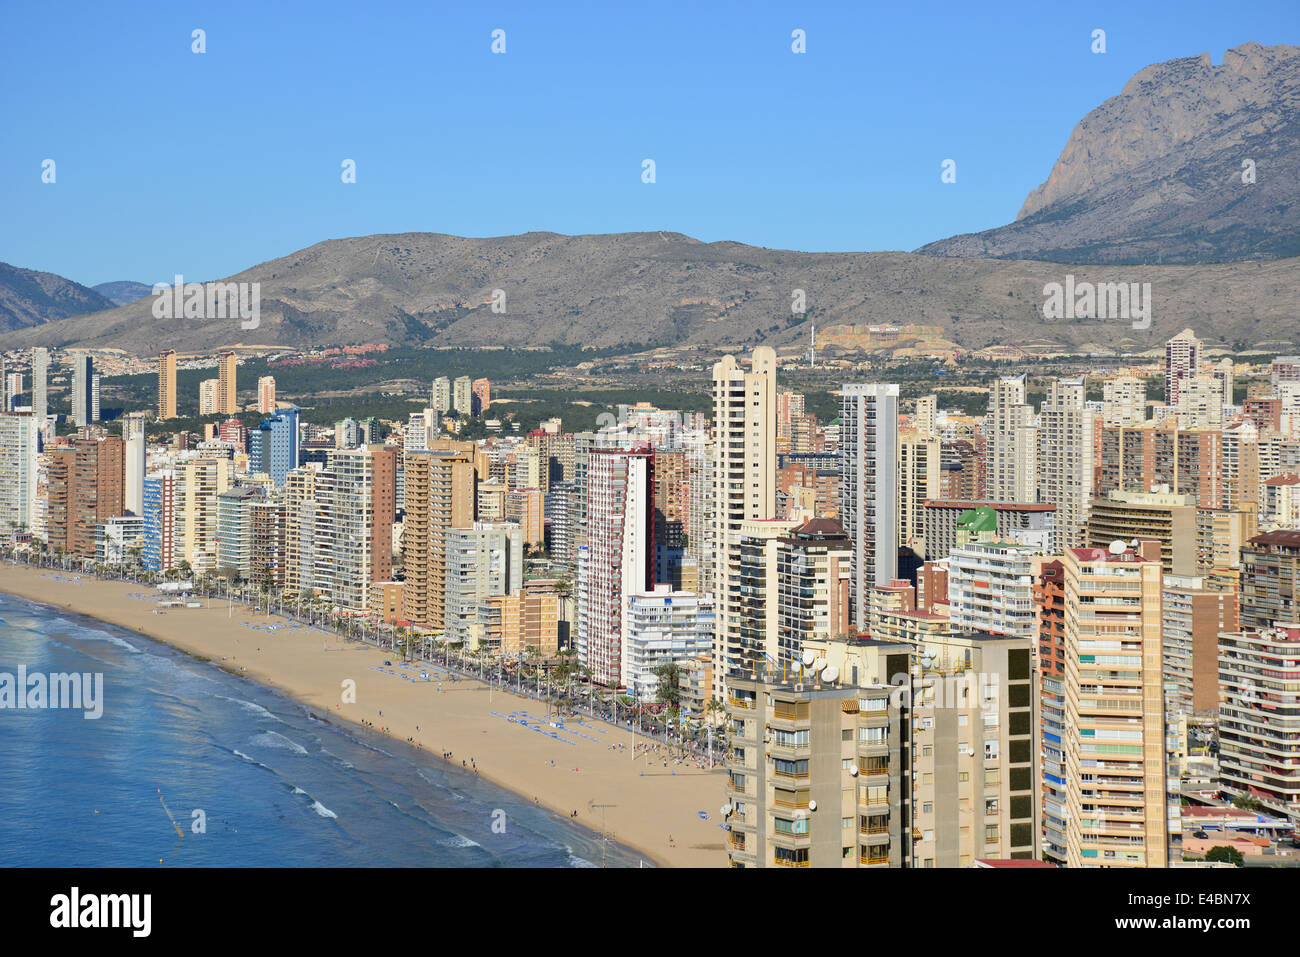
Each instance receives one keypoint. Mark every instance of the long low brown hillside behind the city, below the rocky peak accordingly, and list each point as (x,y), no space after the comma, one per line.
(669,289)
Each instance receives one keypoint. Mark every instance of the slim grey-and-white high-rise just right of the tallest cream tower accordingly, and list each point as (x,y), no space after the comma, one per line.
(869,488)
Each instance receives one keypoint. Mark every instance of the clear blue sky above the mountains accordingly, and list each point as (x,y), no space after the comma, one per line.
(206,164)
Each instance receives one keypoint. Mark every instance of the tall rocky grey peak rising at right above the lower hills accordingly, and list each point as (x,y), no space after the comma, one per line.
(1156,174)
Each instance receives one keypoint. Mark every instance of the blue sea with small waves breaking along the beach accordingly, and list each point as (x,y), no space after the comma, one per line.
(190,767)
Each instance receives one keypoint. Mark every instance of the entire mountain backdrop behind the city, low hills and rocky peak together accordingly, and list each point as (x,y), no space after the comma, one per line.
(1150,189)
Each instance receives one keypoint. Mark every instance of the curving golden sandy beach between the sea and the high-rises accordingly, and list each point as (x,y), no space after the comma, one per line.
(643,802)
